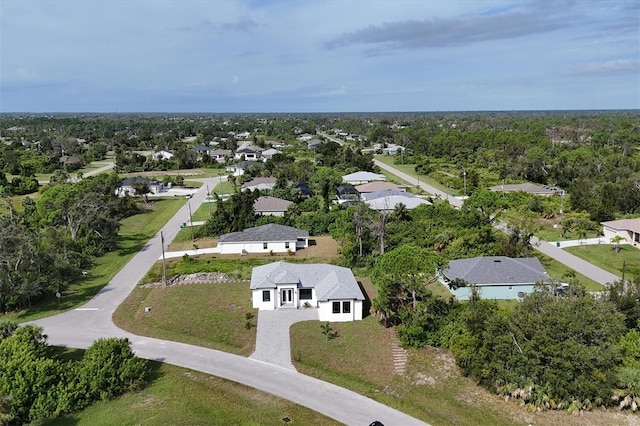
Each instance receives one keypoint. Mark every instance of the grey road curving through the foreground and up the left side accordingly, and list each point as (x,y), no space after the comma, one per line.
(78,328)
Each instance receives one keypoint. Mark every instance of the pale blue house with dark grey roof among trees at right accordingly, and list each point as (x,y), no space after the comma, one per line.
(495,277)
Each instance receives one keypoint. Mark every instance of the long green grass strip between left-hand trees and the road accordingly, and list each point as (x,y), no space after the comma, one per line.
(135,232)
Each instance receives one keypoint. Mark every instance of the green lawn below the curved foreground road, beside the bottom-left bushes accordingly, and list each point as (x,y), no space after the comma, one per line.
(178,396)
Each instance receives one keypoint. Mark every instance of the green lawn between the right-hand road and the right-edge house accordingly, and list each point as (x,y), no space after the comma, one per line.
(603,256)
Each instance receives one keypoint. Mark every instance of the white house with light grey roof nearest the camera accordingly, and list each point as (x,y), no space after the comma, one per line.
(333,290)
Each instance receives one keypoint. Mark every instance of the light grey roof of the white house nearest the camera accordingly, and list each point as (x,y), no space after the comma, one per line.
(329,281)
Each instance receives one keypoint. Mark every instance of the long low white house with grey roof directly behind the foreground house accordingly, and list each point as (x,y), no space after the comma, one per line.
(264,239)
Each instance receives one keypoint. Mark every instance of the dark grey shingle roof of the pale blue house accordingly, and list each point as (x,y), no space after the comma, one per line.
(492,270)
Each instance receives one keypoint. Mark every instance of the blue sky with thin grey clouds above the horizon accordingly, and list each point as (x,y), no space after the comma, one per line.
(318,56)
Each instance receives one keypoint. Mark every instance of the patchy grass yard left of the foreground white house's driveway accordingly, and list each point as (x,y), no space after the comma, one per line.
(208,315)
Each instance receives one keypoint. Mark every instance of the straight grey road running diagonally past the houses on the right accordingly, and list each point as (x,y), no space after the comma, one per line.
(585,268)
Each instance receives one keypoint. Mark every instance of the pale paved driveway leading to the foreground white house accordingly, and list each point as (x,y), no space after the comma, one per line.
(272,341)
